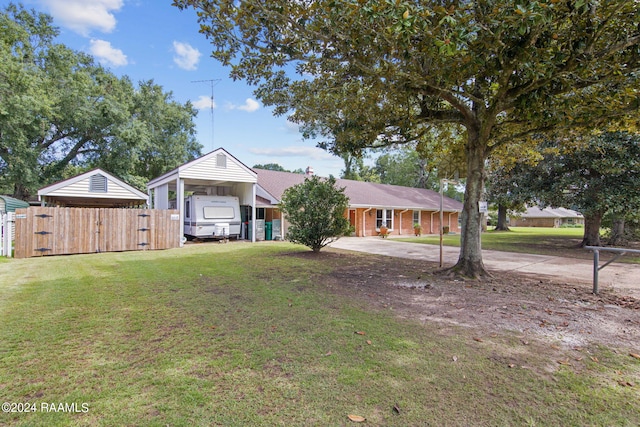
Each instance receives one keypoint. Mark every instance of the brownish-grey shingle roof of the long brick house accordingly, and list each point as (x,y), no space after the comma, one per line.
(363,194)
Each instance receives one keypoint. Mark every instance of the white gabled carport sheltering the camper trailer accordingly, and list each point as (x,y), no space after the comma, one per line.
(217,173)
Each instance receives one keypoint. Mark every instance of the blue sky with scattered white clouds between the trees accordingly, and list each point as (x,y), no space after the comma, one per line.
(152,40)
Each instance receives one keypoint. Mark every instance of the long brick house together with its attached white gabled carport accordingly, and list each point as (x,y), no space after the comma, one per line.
(260,191)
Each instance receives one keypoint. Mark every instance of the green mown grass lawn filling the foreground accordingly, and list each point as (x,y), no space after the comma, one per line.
(252,335)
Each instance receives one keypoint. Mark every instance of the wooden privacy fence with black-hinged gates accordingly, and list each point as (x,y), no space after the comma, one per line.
(58,231)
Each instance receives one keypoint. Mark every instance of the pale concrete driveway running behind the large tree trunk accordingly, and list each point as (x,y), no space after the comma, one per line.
(622,277)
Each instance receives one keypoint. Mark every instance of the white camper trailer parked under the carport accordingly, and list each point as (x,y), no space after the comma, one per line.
(212,217)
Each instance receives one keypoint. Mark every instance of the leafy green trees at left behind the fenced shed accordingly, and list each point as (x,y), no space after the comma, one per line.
(60,113)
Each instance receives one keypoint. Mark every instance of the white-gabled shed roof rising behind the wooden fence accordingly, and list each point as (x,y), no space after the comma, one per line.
(93,189)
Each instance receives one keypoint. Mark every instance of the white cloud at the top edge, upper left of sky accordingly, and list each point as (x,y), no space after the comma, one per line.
(83,16)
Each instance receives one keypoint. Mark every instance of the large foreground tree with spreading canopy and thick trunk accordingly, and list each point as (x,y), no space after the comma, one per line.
(361,73)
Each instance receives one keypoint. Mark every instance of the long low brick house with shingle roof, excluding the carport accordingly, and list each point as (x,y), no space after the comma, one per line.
(370,204)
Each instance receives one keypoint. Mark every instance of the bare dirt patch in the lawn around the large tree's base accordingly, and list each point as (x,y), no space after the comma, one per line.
(565,314)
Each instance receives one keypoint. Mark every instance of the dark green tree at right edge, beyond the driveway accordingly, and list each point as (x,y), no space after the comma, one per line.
(596,175)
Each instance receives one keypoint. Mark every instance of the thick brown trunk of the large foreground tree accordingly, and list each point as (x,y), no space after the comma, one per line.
(470,260)
